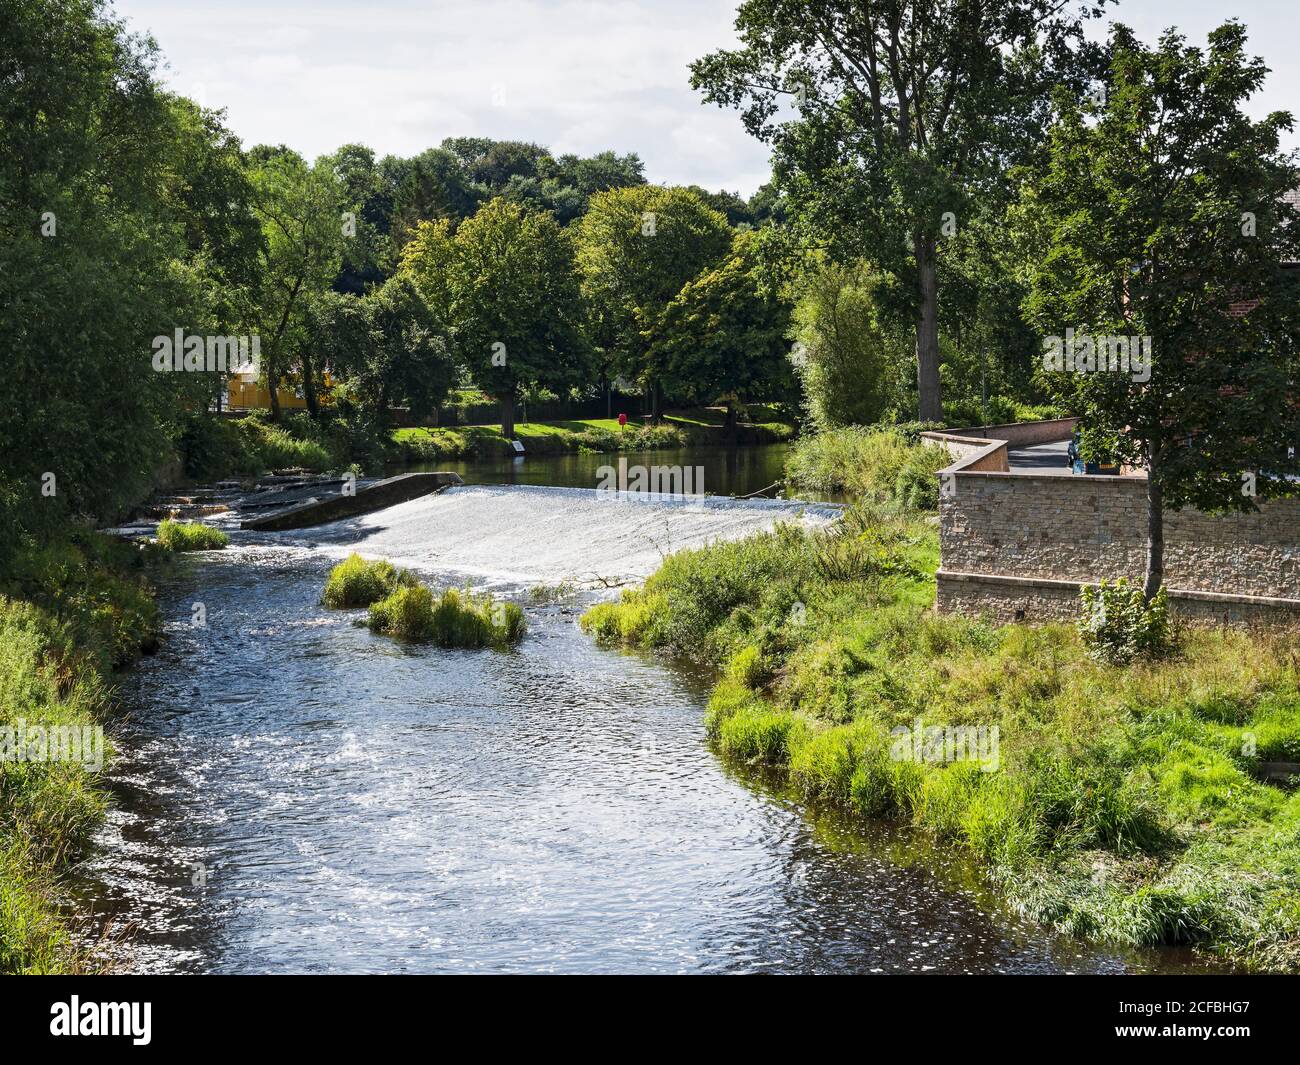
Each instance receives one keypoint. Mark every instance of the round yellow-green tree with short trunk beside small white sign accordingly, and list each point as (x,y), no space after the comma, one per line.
(508,285)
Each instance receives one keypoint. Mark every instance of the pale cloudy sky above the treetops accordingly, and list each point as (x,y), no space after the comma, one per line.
(577,76)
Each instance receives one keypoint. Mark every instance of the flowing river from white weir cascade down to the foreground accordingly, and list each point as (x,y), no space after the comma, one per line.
(297,795)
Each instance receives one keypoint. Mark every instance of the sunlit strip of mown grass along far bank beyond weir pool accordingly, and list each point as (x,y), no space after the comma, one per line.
(695,427)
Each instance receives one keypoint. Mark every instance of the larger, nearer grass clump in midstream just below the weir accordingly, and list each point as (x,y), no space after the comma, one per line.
(454,620)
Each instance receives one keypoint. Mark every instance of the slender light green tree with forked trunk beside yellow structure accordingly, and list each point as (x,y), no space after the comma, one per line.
(302,211)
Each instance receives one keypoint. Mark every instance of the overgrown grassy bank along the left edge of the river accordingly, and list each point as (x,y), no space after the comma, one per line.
(71,614)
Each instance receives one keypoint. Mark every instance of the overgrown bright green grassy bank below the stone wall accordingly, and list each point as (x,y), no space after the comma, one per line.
(1126,803)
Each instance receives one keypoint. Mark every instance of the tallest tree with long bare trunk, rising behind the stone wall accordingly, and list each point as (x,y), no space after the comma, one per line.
(904,109)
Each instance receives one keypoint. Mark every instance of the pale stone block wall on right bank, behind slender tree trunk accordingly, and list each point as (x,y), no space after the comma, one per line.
(1019,546)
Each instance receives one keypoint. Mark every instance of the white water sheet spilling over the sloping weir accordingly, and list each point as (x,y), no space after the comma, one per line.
(551,535)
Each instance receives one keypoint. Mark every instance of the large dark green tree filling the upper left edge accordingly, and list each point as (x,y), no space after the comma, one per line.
(120,215)
